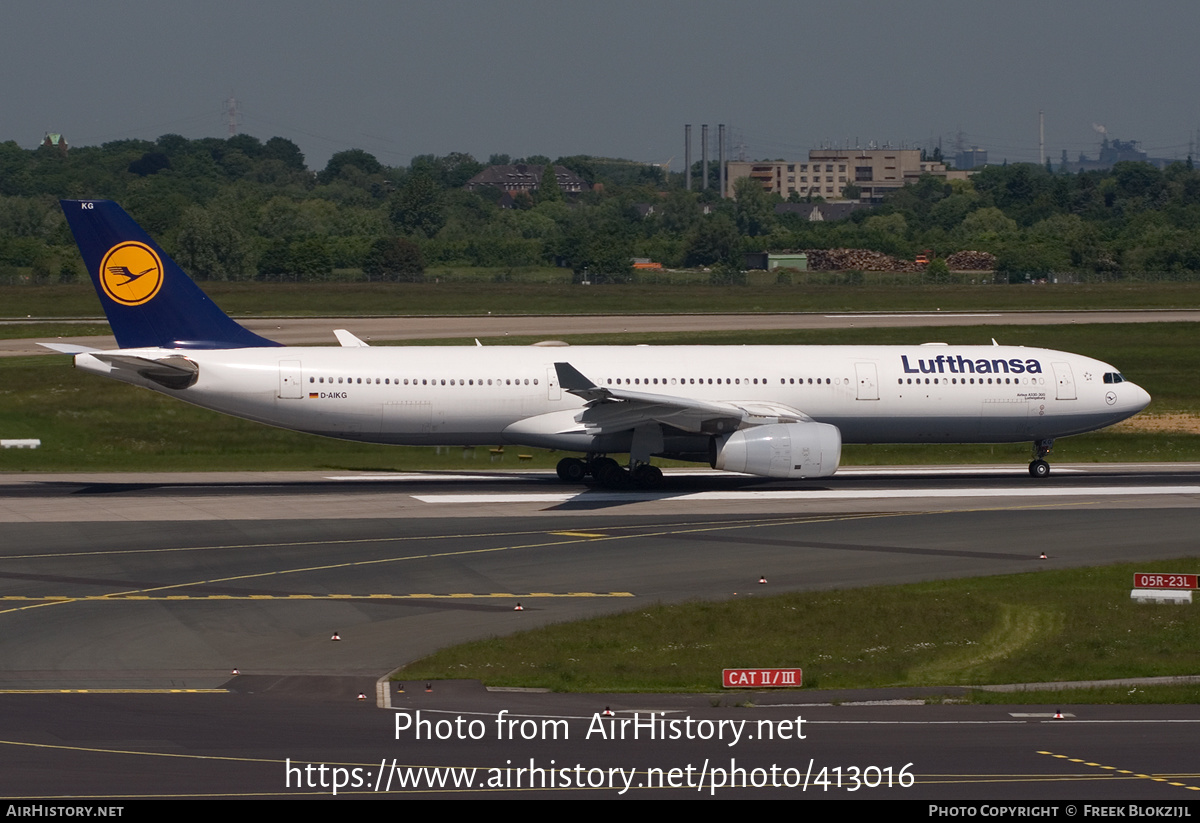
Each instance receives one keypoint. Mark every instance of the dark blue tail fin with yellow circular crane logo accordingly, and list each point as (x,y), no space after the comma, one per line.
(151,303)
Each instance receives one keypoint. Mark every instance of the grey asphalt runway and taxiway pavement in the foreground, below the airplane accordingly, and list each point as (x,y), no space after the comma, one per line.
(117,582)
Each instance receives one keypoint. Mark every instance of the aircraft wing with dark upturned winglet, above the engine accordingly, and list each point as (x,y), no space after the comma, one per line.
(617,410)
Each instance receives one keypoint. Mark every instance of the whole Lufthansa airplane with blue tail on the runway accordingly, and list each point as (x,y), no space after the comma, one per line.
(766,411)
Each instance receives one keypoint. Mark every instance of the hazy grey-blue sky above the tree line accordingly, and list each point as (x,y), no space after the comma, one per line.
(614,79)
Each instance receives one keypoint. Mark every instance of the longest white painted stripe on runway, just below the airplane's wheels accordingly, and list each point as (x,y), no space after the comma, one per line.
(815,495)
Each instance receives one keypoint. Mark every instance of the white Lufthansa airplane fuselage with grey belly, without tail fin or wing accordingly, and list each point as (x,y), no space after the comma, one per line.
(497,395)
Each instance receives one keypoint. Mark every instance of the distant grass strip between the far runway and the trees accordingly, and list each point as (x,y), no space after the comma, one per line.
(471,297)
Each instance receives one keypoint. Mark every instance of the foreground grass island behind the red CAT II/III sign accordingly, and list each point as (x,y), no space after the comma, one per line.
(1073,624)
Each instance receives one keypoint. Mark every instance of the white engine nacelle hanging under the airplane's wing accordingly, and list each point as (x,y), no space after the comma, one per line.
(781,450)
